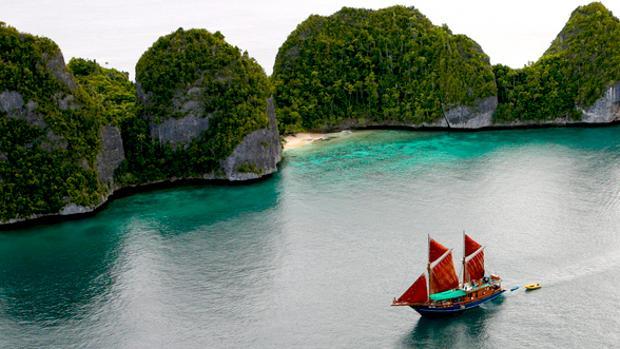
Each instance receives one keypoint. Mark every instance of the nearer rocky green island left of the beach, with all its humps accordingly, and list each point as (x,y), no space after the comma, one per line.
(73,135)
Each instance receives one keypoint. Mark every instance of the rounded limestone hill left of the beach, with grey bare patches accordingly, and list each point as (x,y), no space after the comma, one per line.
(204,112)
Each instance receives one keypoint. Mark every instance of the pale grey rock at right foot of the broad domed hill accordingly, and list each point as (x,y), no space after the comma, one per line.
(478,116)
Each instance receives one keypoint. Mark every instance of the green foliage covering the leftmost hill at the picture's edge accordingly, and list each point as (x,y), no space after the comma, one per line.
(44,168)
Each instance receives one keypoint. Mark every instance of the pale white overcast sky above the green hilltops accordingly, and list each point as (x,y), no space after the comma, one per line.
(119,31)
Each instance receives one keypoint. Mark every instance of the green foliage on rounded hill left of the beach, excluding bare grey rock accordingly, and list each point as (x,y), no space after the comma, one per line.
(233,91)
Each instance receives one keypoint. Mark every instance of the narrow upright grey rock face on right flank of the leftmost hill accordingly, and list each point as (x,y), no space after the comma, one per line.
(111,153)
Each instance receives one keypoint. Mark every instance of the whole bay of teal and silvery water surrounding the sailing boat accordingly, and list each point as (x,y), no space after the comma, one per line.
(313,256)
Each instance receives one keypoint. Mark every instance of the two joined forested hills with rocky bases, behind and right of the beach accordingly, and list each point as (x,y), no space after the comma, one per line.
(393,67)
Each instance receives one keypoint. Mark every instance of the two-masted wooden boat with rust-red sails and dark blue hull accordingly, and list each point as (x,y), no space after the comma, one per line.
(444,295)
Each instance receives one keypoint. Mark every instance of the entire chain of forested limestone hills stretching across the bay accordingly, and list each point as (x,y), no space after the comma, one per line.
(202,109)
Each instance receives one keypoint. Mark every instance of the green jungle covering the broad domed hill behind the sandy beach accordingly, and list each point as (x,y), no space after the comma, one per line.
(386,65)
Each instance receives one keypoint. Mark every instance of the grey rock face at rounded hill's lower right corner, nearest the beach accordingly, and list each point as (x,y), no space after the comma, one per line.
(258,154)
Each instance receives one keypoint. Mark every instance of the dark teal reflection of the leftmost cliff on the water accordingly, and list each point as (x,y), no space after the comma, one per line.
(51,274)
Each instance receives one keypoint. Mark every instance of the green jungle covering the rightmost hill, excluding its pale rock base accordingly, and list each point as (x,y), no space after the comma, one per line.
(573,73)
